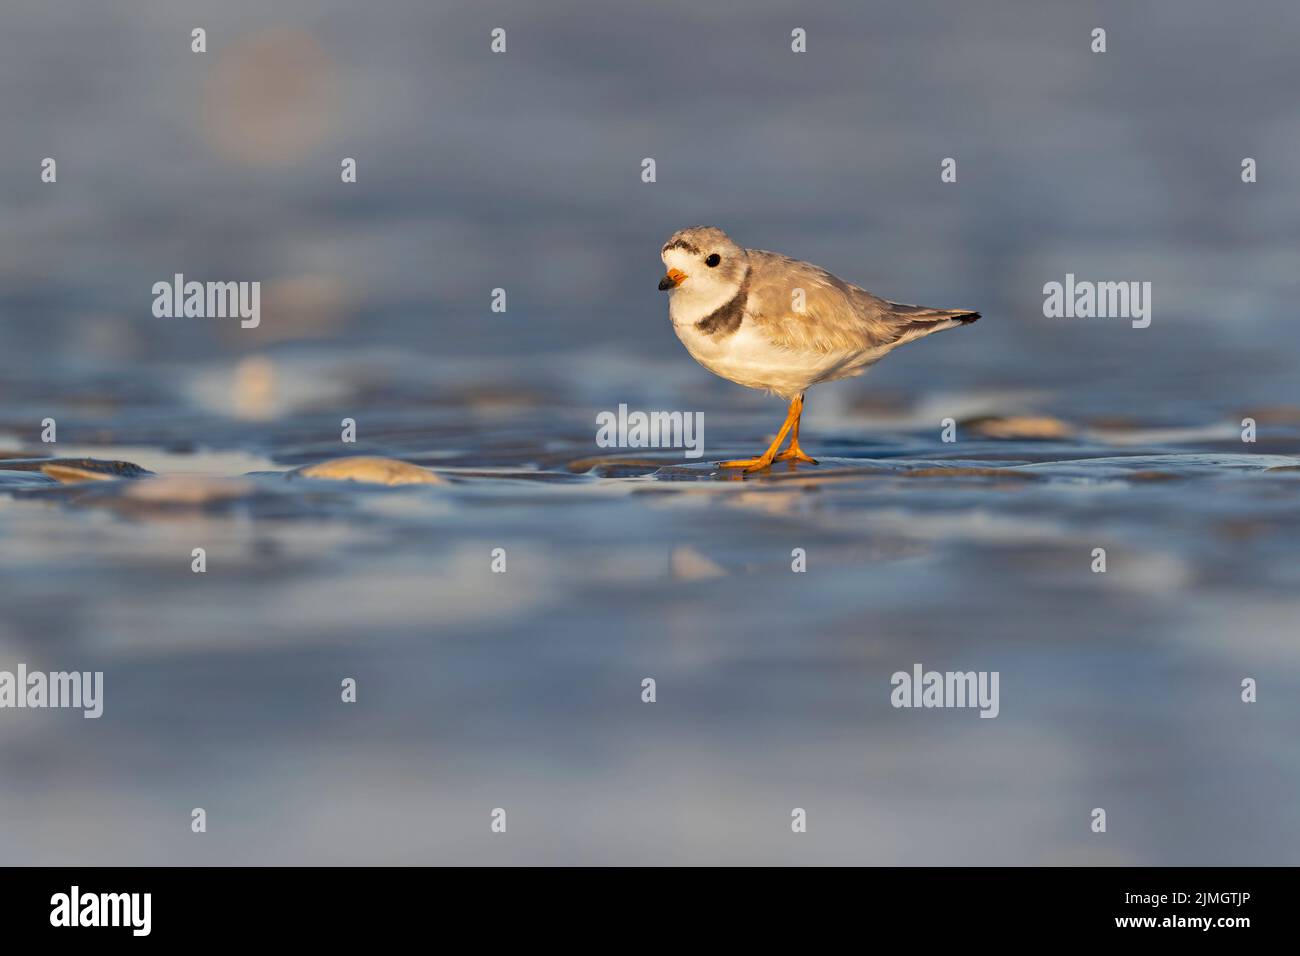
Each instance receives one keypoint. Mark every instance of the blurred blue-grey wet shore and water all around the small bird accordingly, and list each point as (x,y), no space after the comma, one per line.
(523,171)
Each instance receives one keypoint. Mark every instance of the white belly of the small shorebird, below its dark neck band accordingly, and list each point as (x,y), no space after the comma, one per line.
(747,358)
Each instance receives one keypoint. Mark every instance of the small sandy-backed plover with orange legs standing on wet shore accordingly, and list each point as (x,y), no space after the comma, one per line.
(769,322)
